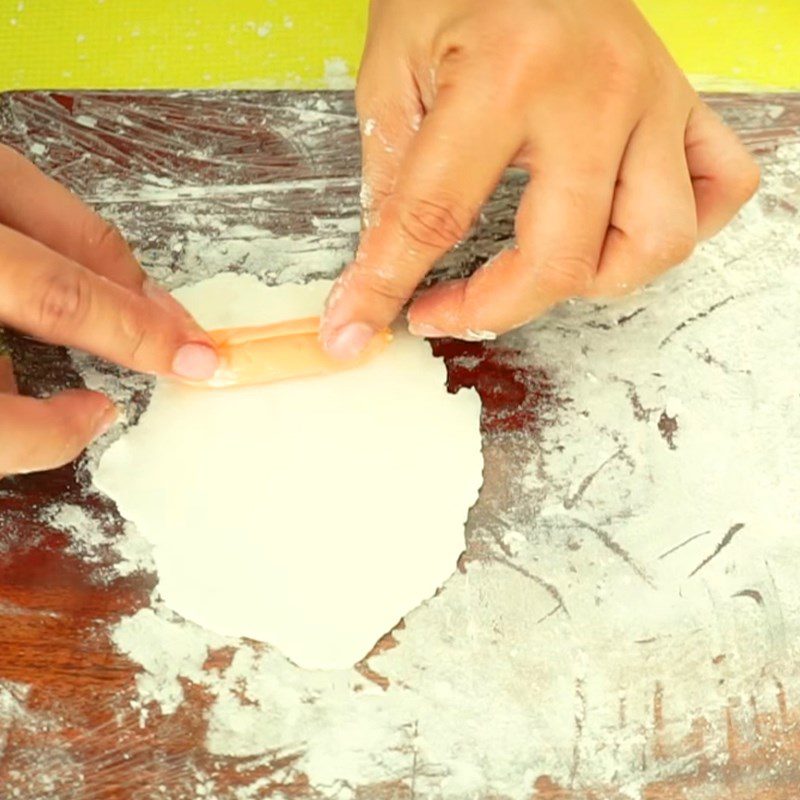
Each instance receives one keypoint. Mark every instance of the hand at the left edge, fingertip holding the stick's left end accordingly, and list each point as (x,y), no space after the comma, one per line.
(68,277)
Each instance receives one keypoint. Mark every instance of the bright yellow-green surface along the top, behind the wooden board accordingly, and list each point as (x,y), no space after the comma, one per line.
(313,43)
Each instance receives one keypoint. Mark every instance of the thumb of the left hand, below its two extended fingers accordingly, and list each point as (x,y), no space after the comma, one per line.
(42,434)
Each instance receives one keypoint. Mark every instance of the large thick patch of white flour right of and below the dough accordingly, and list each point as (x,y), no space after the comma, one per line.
(495,680)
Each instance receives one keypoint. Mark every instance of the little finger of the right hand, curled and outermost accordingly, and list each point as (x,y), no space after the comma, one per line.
(724,175)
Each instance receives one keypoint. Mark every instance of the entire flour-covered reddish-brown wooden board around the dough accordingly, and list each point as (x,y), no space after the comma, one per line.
(624,622)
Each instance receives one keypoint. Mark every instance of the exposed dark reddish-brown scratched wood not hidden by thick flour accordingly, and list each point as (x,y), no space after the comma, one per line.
(70,715)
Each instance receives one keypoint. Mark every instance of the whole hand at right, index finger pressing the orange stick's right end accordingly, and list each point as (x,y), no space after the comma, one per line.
(628,168)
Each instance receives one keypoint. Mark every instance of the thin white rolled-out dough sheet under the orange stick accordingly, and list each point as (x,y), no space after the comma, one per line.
(310,514)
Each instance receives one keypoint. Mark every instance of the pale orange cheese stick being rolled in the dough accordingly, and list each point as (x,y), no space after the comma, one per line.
(277,352)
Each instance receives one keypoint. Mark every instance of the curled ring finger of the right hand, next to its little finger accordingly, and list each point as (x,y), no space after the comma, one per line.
(653,222)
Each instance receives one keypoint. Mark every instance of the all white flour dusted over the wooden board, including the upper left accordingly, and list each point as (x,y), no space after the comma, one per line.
(627,605)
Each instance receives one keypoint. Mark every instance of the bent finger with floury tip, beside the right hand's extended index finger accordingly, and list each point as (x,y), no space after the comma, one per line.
(561,224)
